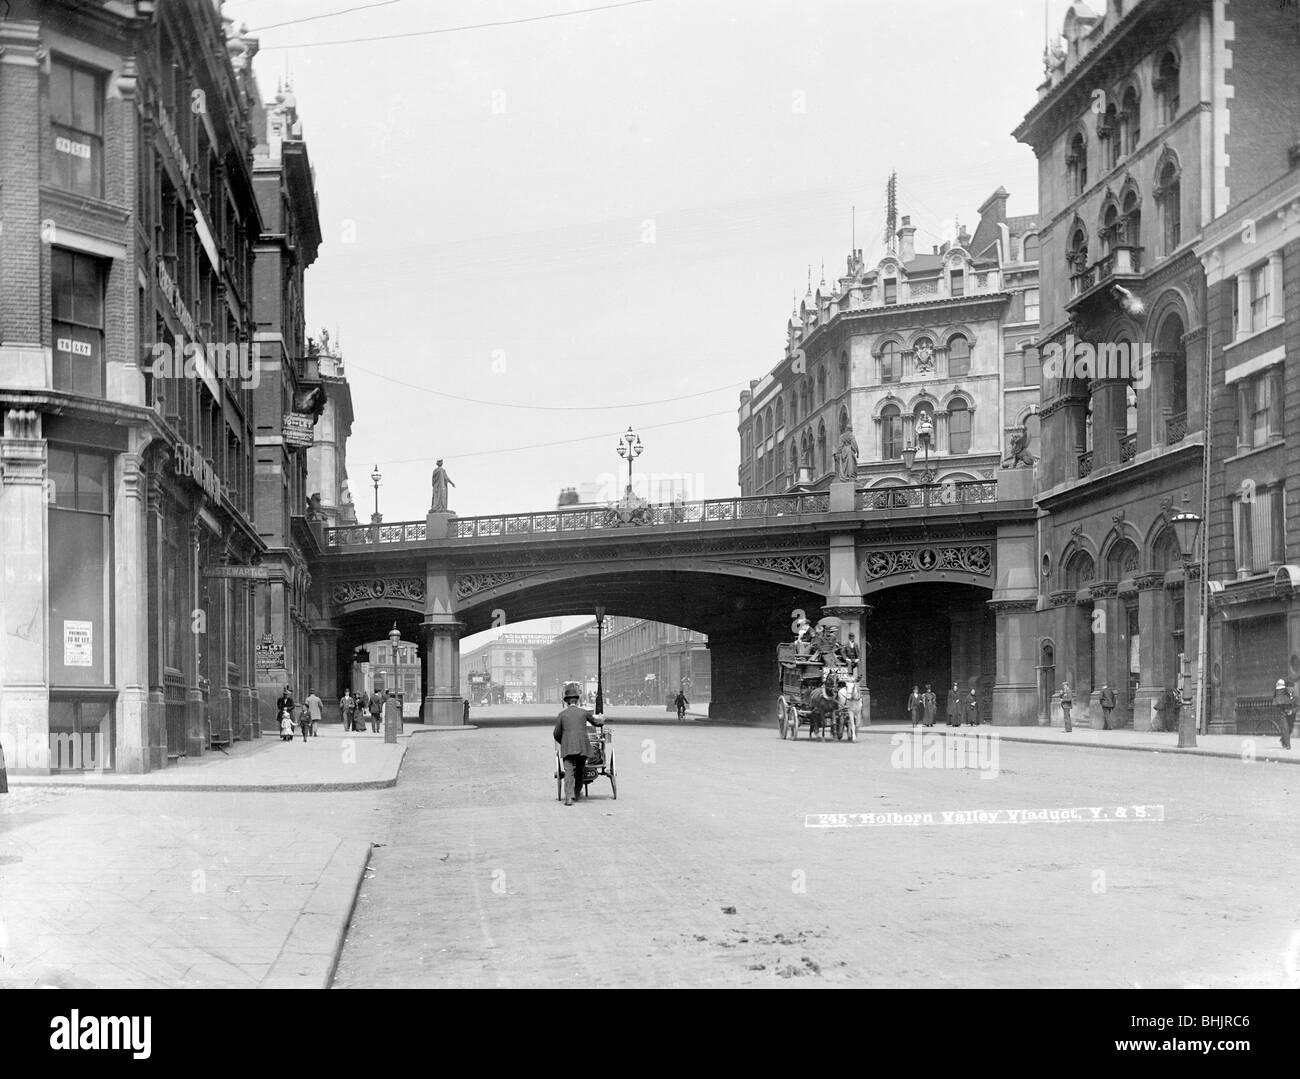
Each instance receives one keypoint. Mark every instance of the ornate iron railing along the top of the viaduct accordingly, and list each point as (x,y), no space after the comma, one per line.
(720,510)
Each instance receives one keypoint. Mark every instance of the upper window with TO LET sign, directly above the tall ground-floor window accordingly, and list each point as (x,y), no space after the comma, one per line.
(77,305)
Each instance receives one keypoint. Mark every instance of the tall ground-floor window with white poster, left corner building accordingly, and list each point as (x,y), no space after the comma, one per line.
(81,561)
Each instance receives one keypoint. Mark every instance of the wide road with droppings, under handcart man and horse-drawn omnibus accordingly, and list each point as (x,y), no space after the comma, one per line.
(704,873)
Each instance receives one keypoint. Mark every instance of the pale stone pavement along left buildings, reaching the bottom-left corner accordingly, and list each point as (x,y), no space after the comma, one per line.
(185,878)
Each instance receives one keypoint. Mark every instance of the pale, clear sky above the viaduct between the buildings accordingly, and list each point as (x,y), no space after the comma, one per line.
(539,235)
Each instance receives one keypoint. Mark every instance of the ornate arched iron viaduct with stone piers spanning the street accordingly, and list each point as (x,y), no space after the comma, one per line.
(938,580)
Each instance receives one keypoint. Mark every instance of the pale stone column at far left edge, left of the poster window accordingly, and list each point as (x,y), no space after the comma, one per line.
(24,539)
